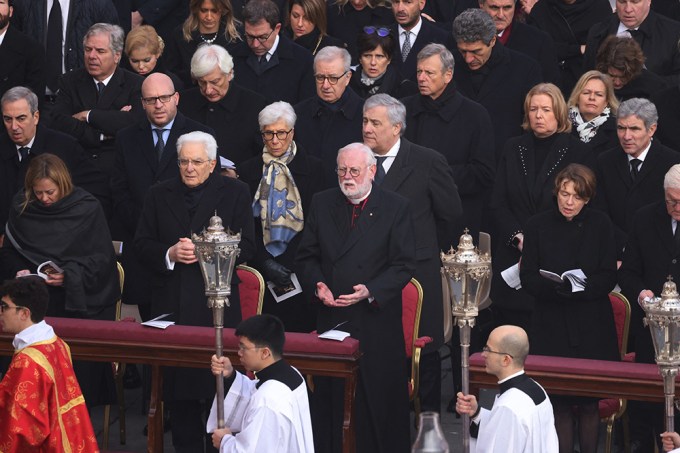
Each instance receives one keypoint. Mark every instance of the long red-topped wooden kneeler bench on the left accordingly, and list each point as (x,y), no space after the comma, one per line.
(187,346)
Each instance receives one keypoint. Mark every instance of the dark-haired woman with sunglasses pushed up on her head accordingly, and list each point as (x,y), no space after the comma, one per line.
(376,73)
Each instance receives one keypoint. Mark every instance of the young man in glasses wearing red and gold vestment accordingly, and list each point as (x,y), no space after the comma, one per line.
(41,404)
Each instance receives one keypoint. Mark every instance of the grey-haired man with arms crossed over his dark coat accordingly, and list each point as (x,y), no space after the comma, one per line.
(99,100)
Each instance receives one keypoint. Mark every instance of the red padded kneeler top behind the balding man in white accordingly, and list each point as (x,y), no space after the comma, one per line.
(582,377)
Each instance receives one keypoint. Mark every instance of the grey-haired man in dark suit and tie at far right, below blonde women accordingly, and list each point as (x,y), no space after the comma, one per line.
(630,176)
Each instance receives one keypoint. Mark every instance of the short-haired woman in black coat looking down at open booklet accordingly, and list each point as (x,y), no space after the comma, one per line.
(568,322)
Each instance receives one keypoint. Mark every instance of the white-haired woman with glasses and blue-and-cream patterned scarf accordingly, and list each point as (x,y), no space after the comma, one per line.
(284,173)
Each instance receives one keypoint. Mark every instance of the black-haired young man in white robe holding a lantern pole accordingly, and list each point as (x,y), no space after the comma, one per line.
(270,414)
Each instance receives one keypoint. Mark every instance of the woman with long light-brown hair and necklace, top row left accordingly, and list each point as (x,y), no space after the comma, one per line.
(209,21)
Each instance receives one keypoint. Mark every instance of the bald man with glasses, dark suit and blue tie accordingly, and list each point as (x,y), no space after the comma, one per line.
(145,155)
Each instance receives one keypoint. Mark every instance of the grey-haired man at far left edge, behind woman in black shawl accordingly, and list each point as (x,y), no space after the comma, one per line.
(26,138)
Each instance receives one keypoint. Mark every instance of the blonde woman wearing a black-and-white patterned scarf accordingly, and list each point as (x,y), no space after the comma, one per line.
(592,111)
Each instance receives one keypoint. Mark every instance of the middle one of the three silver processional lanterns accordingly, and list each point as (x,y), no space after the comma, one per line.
(469,276)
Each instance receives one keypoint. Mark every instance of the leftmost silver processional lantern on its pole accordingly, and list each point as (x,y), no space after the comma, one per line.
(216,251)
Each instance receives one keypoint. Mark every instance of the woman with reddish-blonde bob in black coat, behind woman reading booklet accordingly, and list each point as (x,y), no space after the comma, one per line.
(523,188)
